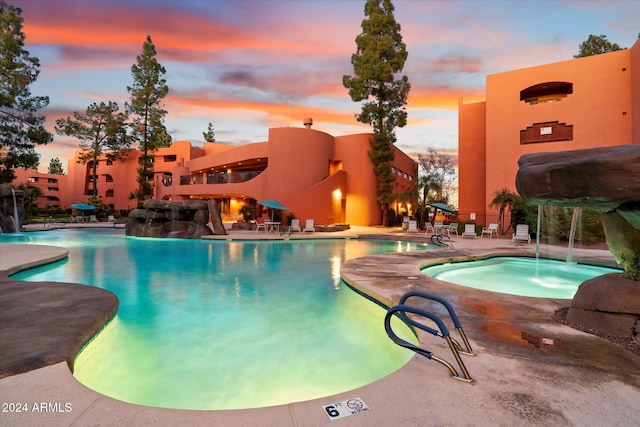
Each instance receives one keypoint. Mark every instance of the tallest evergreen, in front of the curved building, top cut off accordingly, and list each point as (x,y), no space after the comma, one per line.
(379,57)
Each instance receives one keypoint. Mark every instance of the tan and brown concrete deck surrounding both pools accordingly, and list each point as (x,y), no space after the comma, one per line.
(528,371)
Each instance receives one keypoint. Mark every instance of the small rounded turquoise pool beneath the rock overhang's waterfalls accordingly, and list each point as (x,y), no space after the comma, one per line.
(532,277)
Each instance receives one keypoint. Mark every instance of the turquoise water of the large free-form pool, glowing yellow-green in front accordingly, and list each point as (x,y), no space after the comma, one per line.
(208,324)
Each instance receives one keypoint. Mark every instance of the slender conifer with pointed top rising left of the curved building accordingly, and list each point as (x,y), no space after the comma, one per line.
(148,90)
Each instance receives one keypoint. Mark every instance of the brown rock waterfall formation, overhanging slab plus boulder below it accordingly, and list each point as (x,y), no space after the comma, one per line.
(607,180)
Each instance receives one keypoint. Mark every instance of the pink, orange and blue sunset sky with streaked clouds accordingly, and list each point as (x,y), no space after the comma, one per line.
(248,65)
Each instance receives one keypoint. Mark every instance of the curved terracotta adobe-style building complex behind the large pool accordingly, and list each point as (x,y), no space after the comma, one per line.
(315,175)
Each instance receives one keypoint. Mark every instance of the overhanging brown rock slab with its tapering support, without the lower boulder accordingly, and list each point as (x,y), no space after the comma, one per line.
(605,179)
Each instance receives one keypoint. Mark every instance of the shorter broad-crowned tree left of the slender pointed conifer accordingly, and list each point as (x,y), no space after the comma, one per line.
(101,131)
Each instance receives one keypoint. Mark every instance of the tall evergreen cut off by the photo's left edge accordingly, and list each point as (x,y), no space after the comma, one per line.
(21,129)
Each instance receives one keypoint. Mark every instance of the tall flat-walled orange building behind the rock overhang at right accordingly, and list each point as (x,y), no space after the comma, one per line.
(580,103)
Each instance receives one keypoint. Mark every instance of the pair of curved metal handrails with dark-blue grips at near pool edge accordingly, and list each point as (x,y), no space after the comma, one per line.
(402,310)
